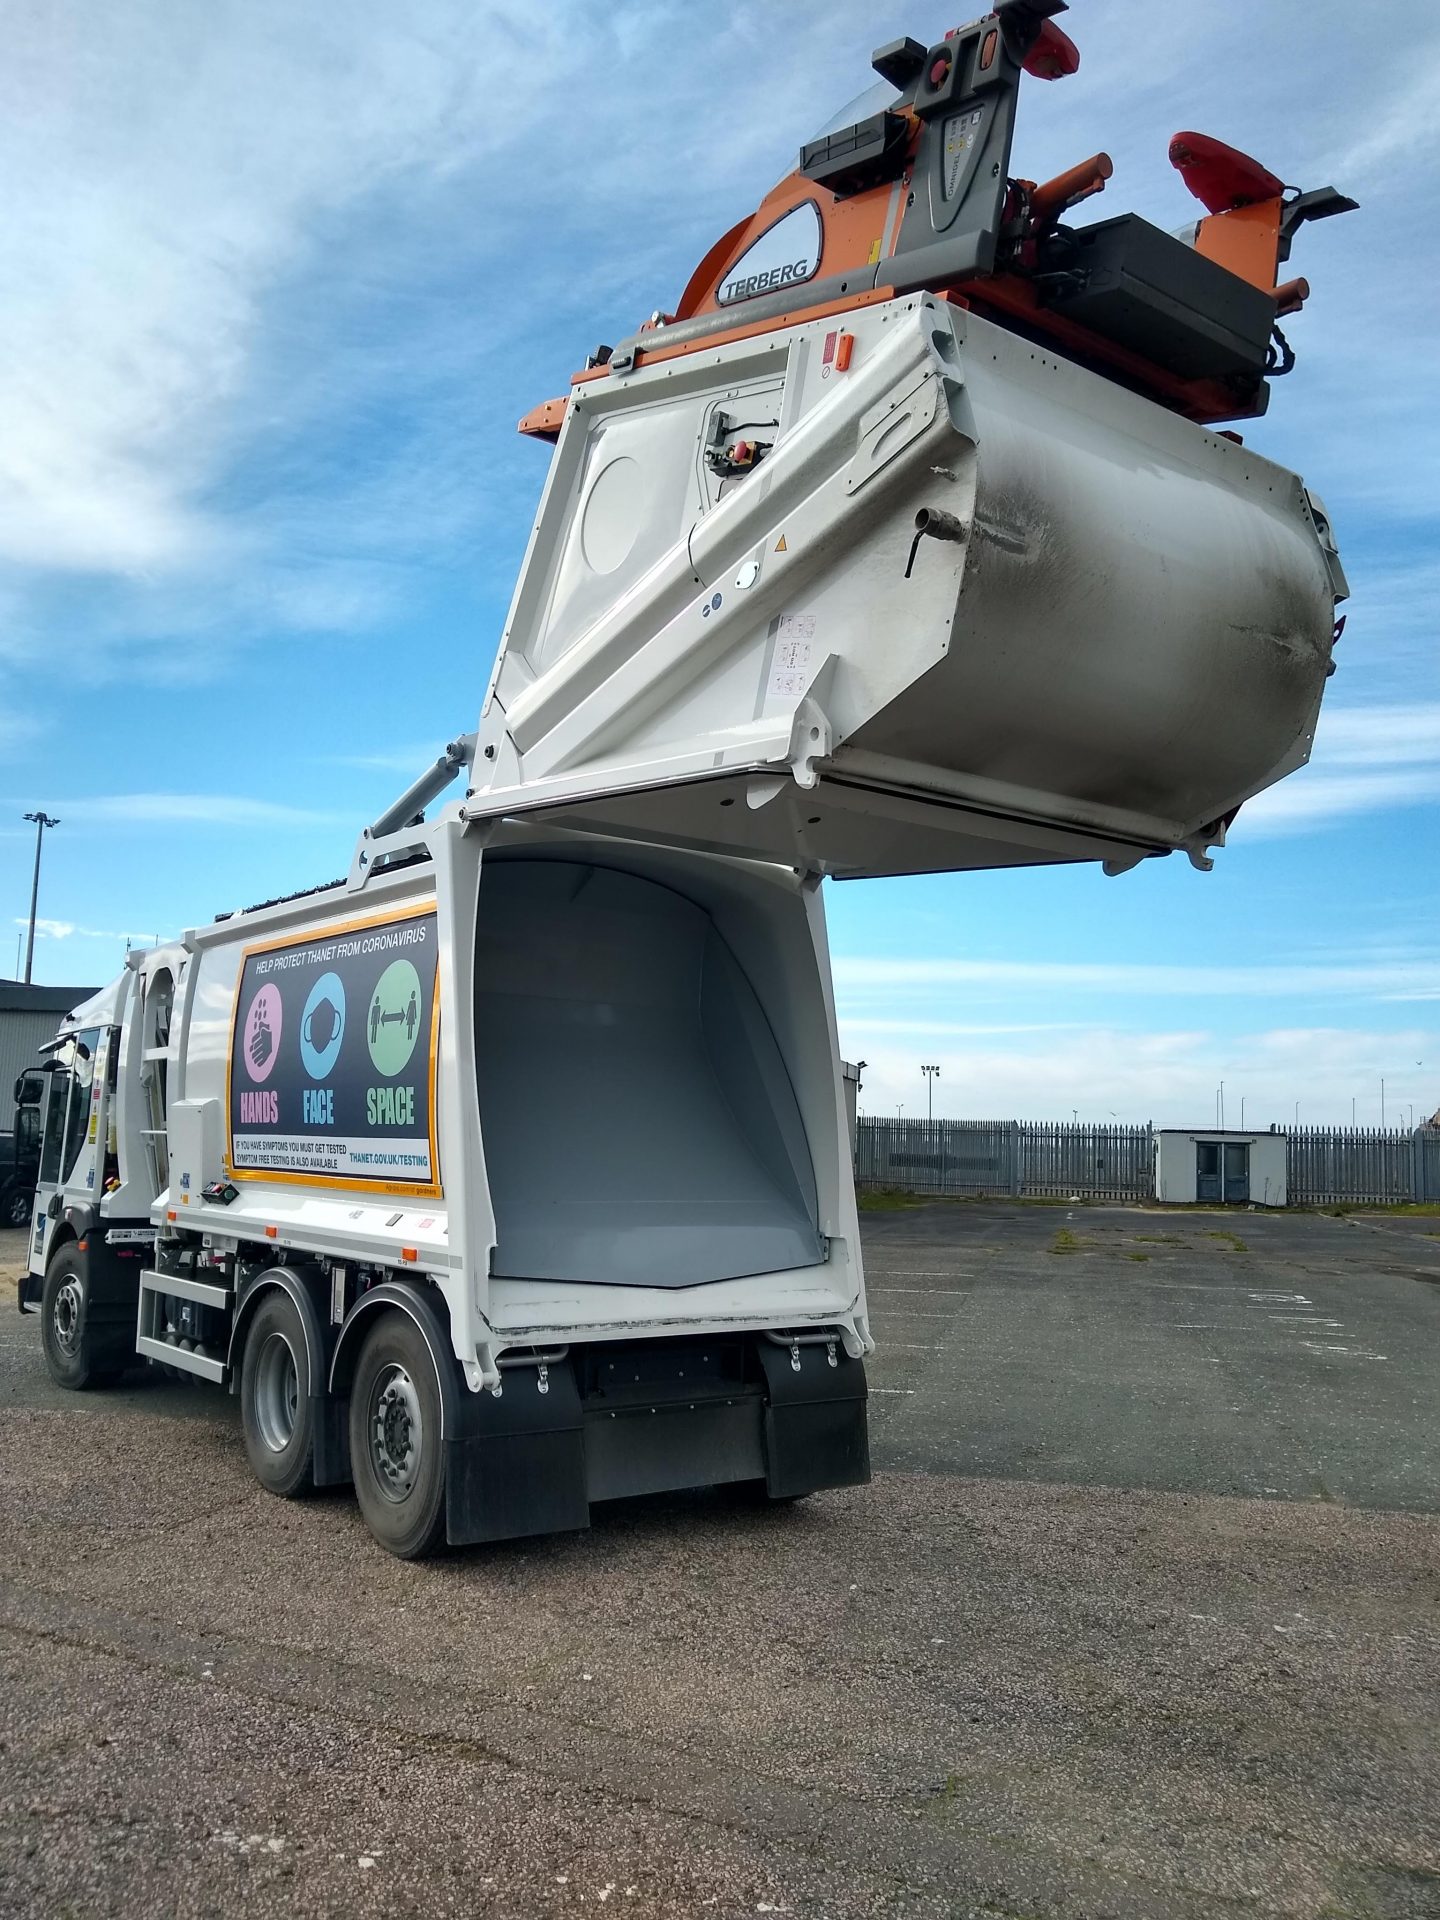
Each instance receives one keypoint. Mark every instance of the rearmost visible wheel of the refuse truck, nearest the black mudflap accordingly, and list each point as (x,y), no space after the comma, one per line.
(396,1449)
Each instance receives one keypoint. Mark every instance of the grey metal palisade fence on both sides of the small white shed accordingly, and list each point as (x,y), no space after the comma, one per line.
(1009,1157)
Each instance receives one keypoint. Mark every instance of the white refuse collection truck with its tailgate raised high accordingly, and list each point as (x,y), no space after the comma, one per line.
(512,1172)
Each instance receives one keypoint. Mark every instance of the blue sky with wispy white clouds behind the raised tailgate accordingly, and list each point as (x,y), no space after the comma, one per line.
(279,281)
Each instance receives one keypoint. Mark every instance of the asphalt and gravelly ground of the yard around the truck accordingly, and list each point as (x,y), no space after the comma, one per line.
(1140,1616)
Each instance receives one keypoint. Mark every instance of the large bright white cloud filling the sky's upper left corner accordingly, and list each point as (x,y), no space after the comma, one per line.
(164,168)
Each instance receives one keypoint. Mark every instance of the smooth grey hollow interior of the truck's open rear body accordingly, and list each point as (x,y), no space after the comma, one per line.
(640,1126)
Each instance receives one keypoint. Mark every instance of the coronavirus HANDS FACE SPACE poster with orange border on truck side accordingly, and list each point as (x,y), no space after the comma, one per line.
(333,1057)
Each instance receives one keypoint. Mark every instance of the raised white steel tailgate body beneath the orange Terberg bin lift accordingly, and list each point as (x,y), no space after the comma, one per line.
(1122,635)
